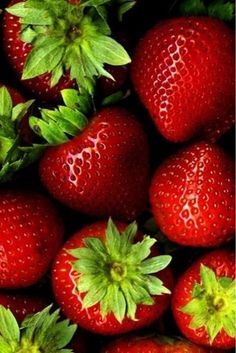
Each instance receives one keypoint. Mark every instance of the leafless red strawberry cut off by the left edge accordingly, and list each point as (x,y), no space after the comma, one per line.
(30,235)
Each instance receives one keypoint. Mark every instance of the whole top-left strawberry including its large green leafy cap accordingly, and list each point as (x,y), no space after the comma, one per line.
(53,45)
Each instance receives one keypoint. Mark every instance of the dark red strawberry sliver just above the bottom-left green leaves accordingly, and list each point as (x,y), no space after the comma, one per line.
(22,305)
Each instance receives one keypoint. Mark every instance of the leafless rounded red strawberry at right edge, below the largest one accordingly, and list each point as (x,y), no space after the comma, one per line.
(192,196)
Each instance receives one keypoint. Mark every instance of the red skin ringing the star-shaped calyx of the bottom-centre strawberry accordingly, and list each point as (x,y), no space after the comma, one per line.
(69,299)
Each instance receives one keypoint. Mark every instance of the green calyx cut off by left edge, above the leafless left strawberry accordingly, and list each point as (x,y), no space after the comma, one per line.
(13,154)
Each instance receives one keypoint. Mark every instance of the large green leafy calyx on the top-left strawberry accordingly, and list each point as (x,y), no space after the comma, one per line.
(68,37)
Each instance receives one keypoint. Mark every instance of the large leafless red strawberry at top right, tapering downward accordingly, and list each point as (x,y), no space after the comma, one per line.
(183,71)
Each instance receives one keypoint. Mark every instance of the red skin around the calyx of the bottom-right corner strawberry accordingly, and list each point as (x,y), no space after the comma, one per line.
(223,263)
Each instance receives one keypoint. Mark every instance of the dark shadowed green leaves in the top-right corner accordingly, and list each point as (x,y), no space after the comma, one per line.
(216,8)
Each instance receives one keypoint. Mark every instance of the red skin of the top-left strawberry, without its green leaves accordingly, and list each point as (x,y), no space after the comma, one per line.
(17,52)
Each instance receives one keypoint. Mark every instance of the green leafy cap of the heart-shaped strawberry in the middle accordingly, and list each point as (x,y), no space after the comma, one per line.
(57,125)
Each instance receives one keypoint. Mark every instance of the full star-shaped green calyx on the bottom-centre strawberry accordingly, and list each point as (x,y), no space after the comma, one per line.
(117,273)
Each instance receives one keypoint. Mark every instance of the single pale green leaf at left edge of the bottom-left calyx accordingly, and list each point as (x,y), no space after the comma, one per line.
(9,328)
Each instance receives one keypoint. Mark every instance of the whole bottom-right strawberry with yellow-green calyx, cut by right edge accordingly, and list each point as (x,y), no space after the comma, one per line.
(204,300)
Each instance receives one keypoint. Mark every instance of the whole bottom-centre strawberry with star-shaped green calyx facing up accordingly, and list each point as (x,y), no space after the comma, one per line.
(105,281)
